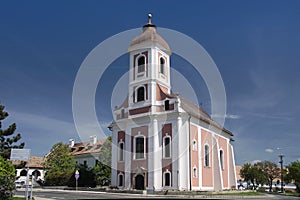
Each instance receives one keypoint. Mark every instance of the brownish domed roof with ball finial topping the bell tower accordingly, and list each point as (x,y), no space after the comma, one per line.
(150,35)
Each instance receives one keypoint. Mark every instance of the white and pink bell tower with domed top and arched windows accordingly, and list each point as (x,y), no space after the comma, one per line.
(149,67)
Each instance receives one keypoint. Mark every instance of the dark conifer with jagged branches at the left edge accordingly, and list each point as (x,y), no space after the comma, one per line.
(7,140)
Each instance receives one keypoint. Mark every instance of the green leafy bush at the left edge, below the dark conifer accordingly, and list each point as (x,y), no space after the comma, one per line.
(7,179)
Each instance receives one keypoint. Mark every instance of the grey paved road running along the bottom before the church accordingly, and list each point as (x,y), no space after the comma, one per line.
(50,194)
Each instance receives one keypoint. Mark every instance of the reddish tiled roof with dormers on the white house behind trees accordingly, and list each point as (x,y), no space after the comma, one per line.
(86,147)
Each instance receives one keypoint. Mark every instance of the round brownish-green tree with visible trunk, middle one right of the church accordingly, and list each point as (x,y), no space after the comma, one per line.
(269,170)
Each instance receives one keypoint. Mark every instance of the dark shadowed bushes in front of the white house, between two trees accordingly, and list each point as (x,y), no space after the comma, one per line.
(87,177)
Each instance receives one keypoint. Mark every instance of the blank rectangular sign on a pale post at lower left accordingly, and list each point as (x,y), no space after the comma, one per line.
(24,155)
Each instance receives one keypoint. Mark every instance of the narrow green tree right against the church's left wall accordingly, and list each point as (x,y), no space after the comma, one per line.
(103,168)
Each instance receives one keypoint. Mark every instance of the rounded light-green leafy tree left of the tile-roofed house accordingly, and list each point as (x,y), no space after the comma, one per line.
(59,165)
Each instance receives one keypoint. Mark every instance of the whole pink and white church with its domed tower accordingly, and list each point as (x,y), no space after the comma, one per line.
(161,140)
